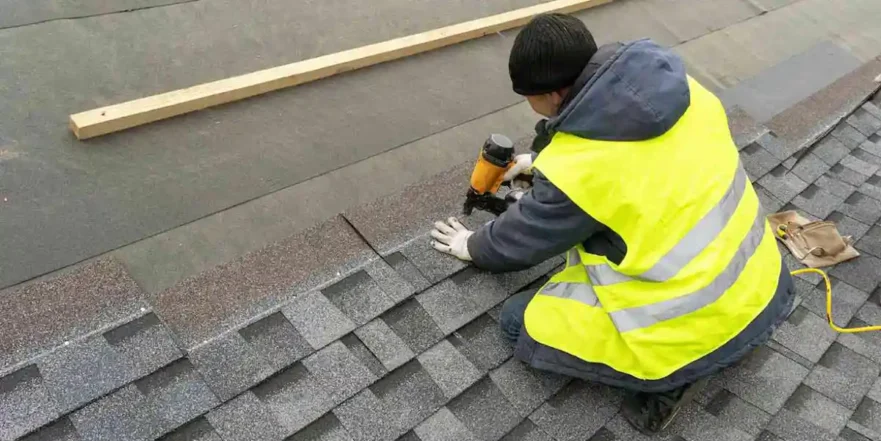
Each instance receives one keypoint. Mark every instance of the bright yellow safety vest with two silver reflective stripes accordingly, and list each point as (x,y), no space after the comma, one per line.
(701,260)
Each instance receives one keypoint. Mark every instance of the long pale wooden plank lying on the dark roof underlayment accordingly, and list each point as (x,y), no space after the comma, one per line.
(145,110)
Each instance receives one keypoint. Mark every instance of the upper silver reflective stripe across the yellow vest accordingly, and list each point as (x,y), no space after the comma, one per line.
(697,239)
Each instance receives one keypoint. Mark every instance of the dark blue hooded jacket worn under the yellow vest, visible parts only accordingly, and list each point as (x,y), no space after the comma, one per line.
(627,92)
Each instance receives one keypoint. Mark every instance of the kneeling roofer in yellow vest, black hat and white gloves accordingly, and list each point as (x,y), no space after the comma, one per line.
(672,271)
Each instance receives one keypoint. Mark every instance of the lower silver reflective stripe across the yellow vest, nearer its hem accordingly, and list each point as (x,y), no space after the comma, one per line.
(647,315)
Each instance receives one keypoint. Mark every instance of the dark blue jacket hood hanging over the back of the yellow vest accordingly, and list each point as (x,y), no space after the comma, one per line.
(639,93)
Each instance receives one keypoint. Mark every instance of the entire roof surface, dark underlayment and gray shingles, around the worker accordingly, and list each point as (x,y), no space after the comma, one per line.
(355,329)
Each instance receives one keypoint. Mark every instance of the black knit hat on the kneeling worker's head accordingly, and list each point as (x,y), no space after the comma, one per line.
(549,54)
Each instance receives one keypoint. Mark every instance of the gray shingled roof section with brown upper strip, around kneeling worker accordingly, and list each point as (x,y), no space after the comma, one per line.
(357,330)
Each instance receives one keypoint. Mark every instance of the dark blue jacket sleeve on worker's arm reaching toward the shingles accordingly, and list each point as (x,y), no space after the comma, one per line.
(544,223)
